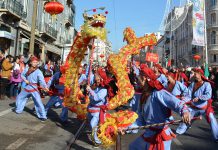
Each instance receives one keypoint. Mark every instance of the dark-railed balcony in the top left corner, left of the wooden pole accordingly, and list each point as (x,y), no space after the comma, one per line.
(12,9)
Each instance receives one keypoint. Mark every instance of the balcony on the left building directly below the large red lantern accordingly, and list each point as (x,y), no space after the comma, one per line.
(48,32)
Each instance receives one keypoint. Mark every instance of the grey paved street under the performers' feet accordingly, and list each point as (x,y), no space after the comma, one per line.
(25,132)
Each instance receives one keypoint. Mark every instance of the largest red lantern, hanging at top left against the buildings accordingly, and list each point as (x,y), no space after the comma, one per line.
(54,8)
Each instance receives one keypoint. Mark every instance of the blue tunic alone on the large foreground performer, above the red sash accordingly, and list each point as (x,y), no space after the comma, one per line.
(157,106)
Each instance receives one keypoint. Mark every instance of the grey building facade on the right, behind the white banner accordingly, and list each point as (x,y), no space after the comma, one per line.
(180,49)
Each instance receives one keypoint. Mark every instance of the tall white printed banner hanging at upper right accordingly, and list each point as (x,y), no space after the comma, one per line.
(198,22)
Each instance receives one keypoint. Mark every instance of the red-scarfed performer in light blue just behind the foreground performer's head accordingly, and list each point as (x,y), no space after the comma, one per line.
(158,70)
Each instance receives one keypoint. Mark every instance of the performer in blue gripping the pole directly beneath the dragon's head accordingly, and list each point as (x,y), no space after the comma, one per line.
(97,105)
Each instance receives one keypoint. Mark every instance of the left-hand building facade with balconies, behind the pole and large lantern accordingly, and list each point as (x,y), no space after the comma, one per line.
(52,35)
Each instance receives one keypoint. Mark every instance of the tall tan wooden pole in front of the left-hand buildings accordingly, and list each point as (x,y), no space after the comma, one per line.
(32,36)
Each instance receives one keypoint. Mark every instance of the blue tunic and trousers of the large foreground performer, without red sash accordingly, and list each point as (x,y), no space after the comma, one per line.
(156,110)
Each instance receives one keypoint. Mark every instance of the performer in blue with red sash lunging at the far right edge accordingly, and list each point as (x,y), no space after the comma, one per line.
(201,103)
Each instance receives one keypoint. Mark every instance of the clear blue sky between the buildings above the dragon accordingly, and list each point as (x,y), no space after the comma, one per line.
(144,16)
